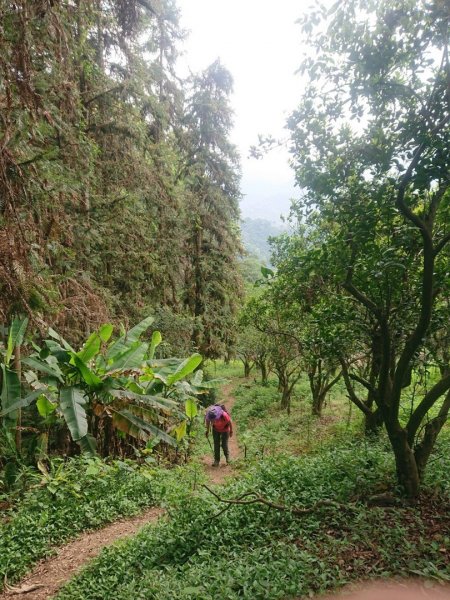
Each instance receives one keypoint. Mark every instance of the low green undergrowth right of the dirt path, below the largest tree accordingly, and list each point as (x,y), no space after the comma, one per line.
(257,552)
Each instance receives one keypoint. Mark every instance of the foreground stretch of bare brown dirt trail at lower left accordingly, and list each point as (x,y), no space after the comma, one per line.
(50,574)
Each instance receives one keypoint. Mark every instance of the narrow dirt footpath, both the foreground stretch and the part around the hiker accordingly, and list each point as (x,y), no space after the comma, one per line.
(50,574)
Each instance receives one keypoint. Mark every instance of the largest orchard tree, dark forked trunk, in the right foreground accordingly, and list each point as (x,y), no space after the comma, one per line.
(370,144)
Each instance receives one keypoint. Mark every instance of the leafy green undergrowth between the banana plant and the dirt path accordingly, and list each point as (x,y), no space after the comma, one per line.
(77,495)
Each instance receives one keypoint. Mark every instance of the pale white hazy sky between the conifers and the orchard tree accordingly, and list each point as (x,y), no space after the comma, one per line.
(259,43)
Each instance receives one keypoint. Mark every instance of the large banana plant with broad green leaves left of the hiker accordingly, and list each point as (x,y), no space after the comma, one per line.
(116,380)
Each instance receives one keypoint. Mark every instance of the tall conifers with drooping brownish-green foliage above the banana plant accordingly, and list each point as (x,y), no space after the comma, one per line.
(119,186)
